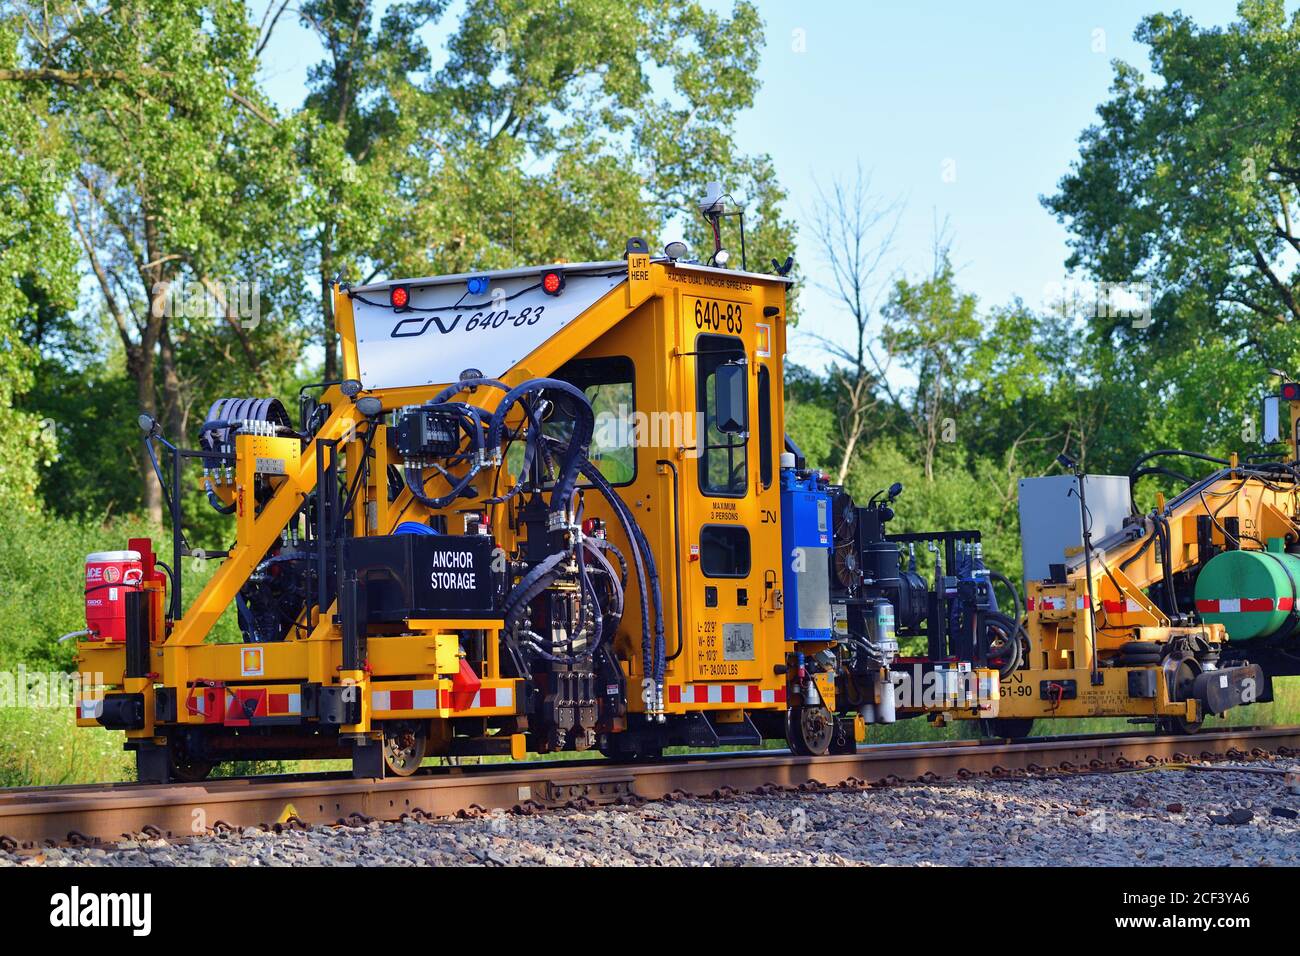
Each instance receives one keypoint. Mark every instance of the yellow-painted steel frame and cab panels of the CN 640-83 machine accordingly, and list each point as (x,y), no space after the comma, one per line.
(656,334)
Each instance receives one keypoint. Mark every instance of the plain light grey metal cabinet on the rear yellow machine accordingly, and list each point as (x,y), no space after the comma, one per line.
(1051,521)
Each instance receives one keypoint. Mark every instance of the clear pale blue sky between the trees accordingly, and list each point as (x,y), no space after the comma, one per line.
(960,111)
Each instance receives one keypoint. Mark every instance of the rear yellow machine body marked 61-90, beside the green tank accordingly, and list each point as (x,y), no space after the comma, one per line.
(1084,635)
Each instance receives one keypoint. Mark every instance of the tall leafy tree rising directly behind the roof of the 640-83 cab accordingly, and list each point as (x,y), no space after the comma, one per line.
(553,132)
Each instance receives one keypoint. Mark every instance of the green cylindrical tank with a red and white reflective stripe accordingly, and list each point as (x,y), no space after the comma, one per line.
(1253,594)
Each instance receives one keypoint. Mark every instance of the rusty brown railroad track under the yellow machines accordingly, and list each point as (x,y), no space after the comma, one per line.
(105,814)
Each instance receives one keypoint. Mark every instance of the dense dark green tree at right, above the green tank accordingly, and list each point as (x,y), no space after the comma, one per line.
(1190,181)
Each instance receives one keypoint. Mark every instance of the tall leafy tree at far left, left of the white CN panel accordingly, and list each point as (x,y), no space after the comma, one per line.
(181,183)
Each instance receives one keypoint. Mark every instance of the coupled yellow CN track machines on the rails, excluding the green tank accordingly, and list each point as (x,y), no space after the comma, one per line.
(556,509)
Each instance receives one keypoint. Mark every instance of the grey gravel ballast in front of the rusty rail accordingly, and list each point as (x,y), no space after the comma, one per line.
(1162,817)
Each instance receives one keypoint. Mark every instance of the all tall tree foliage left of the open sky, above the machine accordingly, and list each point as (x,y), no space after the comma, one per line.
(203,227)
